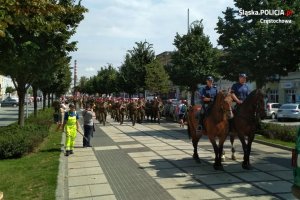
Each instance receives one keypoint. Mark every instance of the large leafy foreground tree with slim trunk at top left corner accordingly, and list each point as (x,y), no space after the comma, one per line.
(36,36)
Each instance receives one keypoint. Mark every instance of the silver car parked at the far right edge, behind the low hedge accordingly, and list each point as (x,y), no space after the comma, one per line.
(289,111)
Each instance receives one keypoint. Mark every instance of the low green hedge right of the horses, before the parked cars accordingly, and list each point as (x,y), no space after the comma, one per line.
(275,131)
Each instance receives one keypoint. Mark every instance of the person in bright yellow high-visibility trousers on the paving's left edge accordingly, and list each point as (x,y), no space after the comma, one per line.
(71,125)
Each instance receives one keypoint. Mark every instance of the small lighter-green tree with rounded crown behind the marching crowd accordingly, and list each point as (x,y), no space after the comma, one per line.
(157,79)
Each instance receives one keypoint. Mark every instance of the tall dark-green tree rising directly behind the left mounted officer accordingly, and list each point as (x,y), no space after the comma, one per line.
(193,60)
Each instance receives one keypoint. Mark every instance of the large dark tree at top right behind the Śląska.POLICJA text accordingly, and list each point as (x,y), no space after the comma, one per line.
(261,50)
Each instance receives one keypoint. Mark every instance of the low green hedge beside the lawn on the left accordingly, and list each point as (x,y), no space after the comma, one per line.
(16,141)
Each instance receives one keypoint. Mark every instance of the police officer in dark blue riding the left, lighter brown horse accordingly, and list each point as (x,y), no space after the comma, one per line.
(207,95)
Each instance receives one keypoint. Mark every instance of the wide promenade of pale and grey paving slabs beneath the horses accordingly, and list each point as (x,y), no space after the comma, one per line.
(152,161)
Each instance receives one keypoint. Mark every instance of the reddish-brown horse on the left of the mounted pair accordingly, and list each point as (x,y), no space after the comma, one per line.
(216,124)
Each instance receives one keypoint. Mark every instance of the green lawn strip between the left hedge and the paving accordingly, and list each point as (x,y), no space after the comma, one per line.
(33,176)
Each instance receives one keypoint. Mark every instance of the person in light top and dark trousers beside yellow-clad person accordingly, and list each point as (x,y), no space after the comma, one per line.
(88,125)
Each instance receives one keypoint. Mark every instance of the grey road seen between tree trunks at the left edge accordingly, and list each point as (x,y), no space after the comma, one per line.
(9,115)
